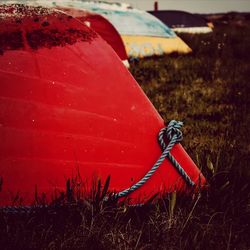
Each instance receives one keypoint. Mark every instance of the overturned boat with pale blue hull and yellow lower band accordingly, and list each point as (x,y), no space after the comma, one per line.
(143,34)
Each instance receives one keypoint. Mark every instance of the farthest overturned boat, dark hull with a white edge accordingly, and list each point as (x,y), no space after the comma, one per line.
(183,22)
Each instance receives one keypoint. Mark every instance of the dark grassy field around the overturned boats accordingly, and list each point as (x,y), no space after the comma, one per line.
(210,91)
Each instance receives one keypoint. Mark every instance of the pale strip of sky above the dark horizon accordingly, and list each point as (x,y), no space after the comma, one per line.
(197,6)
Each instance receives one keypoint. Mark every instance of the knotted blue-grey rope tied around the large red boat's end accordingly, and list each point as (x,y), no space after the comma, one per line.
(174,135)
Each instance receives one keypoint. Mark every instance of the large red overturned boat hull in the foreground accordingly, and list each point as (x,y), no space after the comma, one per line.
(70,105)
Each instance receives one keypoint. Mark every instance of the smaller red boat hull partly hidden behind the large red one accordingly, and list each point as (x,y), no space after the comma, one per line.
(103,27)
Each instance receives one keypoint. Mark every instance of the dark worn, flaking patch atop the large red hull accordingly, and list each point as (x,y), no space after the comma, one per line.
(43,28)
